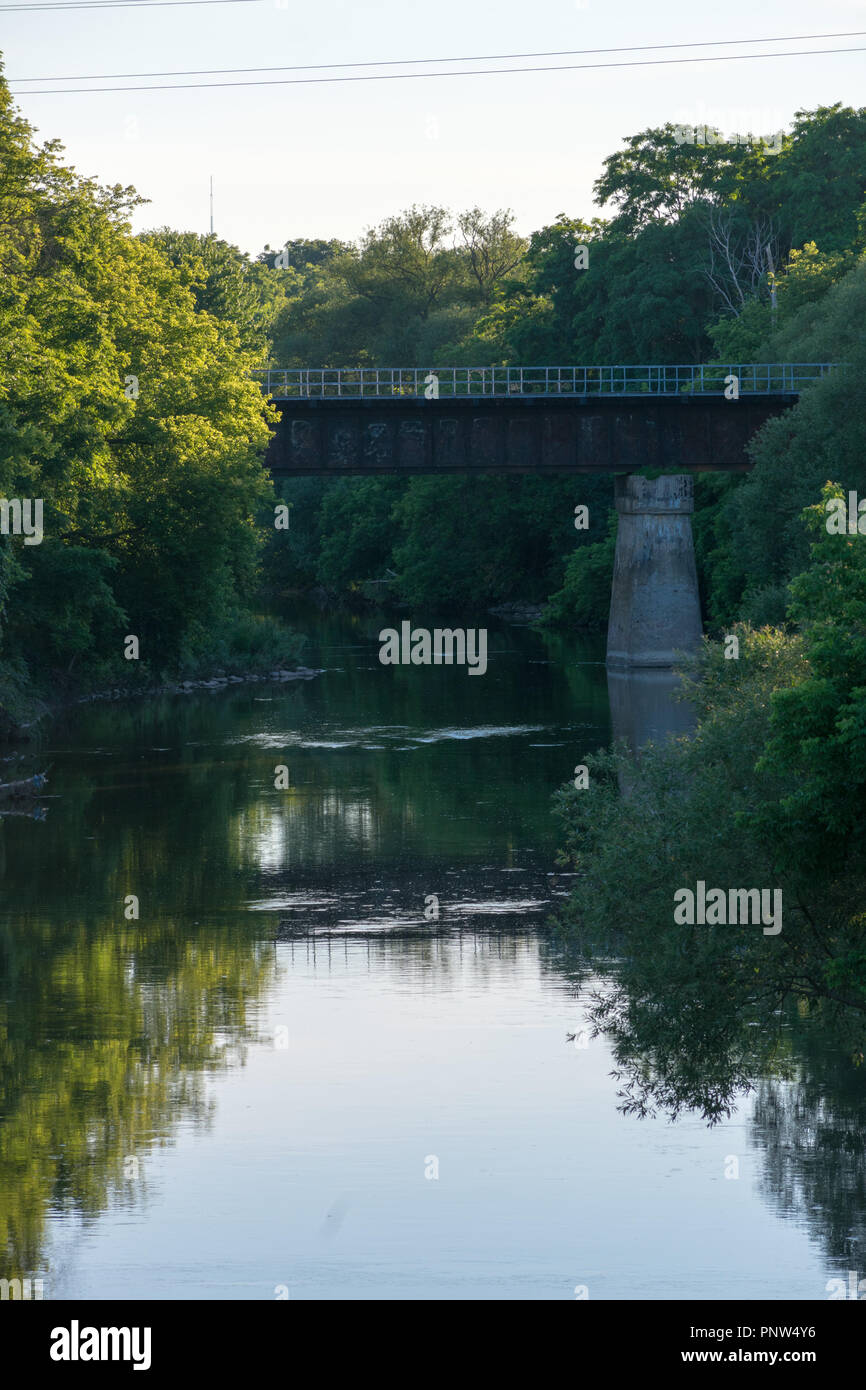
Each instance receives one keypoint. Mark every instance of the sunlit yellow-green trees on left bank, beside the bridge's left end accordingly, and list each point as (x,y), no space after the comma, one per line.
(129,409)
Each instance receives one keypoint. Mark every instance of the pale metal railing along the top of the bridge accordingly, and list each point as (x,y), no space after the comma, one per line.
(436,383)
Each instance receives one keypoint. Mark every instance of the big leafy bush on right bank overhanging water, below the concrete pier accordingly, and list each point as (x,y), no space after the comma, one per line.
(694,1011)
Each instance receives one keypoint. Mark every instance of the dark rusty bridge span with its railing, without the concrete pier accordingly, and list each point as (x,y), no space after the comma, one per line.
(525,420)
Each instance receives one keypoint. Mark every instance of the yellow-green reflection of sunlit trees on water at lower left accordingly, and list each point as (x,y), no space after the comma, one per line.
(106,1035)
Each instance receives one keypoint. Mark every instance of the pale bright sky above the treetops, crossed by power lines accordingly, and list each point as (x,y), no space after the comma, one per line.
(334,159)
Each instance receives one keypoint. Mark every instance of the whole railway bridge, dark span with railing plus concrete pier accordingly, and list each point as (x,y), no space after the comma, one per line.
(628,420)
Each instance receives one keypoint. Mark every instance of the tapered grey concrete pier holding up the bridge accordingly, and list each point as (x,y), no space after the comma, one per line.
(654,601)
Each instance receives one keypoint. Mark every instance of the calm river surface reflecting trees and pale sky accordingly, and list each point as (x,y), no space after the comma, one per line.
(372,1104)
